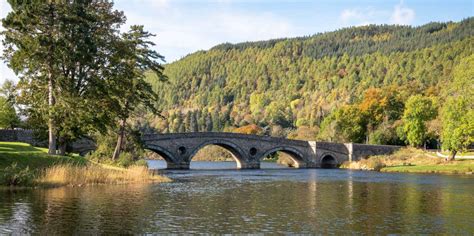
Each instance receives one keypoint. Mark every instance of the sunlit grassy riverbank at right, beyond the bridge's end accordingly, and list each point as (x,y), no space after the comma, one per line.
(412,160)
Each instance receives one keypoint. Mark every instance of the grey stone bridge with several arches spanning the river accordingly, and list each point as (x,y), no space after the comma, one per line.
(248,150)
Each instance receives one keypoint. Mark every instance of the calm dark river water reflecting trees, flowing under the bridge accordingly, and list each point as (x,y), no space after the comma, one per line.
(271,200)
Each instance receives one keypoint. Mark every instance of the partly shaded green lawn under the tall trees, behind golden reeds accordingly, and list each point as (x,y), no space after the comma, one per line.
(36,158)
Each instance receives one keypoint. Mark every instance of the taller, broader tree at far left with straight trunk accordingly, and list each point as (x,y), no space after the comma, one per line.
(60,51)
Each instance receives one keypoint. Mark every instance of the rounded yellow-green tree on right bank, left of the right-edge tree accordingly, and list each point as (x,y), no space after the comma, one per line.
(418,111)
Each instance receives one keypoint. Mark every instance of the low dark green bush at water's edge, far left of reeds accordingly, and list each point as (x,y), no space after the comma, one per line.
(15,176)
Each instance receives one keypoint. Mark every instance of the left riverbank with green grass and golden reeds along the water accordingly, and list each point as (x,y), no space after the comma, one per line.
(24,165)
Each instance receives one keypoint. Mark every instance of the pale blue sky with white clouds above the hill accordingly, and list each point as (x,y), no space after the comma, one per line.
(185,26)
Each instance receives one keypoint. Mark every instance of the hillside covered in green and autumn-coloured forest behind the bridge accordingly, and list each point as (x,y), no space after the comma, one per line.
(300,87)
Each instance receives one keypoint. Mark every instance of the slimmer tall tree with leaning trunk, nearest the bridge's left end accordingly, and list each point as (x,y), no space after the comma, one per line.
(127,86)
